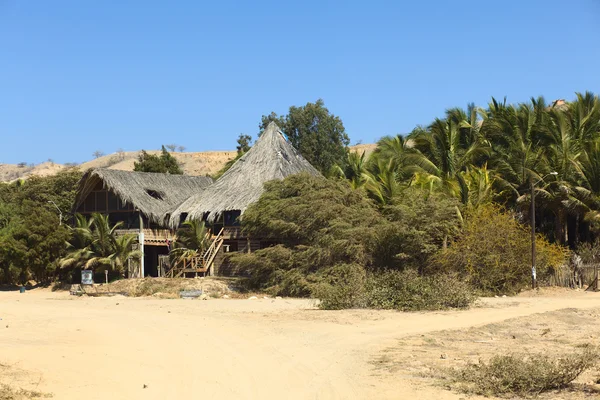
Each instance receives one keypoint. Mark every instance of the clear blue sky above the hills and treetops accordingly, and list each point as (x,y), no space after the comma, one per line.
(78,76)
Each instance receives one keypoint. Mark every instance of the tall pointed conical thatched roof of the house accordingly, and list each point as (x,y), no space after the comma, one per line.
(271,157)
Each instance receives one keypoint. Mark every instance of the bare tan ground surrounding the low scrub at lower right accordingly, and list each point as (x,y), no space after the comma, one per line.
(427,359)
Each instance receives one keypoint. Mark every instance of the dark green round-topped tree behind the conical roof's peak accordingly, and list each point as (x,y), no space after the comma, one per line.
(316,133)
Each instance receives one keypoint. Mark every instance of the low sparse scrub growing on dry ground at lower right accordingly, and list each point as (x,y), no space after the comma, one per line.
(523,374)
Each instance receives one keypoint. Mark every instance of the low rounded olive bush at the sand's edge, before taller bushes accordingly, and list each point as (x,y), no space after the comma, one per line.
(407,291)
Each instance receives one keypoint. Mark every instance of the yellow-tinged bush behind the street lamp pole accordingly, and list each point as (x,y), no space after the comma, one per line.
(493,253)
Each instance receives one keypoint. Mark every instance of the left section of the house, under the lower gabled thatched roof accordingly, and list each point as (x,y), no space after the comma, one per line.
(140,201)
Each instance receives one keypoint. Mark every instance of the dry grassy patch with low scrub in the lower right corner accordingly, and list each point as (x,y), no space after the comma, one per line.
(552,341)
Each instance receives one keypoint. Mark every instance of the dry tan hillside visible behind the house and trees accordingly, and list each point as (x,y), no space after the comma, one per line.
(201,163)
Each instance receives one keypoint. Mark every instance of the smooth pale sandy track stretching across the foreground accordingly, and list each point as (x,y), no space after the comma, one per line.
(109,348)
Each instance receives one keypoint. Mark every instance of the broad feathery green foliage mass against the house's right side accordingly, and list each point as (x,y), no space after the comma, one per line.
(329,232)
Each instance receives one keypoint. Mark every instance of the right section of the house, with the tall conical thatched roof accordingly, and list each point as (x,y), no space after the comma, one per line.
(223,203)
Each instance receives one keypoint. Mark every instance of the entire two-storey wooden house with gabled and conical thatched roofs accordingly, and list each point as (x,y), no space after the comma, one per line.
(155,205)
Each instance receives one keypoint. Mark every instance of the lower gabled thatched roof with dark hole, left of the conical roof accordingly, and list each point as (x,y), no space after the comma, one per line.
(152,193)
